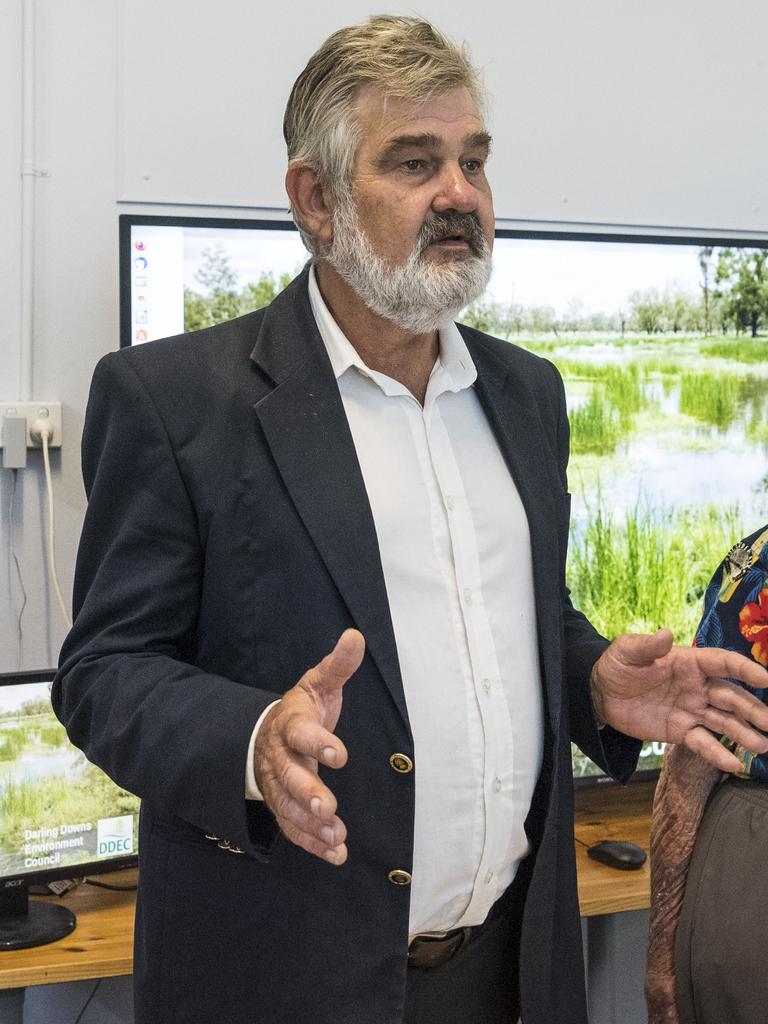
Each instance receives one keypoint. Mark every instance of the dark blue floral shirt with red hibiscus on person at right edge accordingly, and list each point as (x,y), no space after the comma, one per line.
(736,618)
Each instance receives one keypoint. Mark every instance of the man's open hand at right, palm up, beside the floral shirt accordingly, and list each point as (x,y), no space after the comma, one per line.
(646,688)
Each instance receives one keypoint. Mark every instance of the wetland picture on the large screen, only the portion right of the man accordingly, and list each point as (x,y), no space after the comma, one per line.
(664,353)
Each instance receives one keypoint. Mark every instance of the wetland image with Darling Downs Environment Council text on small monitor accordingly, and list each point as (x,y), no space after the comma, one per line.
(57,809)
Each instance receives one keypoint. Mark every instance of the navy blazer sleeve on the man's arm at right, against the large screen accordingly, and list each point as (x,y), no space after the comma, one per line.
(614,752)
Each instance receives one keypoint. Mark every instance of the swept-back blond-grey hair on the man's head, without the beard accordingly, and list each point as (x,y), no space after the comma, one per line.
(406,58)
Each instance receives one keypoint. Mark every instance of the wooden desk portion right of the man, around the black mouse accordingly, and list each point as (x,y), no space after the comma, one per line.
(613,813)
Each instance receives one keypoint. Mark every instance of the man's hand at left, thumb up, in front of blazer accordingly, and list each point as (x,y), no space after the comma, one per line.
(296,735)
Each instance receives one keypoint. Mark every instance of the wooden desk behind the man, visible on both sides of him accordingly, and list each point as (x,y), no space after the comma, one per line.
(102,946)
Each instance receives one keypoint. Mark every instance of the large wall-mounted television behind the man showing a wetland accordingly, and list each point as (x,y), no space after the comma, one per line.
(663,345)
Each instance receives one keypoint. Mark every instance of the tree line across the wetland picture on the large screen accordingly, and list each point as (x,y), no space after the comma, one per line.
(733,298)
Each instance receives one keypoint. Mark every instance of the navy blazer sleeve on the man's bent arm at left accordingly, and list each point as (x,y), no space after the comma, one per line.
(126,691)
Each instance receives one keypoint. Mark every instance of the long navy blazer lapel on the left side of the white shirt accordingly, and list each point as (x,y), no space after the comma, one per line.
(306,426)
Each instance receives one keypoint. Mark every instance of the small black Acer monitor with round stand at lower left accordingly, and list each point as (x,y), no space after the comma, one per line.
(61,818)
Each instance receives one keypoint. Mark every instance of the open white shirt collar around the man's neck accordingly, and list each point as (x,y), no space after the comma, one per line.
(454,363)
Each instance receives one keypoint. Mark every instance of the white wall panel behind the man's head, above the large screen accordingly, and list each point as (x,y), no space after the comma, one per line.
(606,111)
